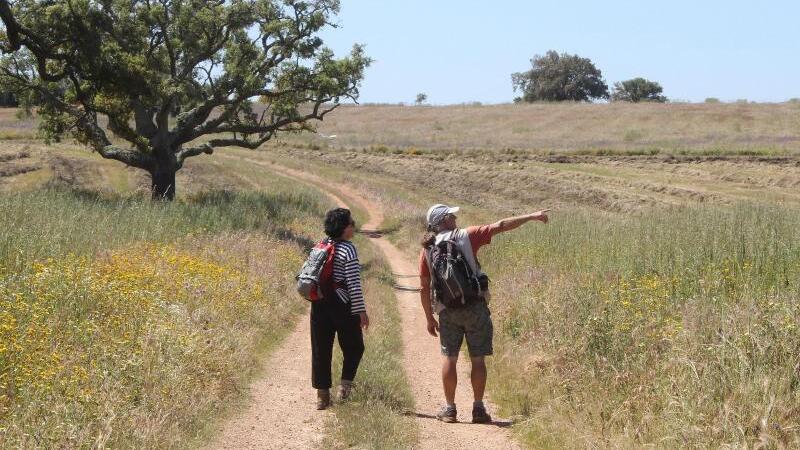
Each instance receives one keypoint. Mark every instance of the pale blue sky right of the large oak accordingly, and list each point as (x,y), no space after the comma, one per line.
(462,51)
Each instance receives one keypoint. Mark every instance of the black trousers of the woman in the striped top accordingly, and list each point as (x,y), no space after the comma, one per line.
(329,318)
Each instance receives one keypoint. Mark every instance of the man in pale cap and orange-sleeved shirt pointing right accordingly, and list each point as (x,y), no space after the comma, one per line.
(472,321)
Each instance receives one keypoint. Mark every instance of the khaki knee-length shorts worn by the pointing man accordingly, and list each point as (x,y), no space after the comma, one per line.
(474,322)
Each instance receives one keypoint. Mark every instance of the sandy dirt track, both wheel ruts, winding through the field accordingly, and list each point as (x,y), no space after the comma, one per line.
(285,390)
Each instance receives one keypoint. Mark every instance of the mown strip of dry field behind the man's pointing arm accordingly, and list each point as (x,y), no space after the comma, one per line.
(513,182)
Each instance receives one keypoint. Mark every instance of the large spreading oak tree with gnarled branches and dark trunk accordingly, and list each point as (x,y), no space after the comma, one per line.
(172,79)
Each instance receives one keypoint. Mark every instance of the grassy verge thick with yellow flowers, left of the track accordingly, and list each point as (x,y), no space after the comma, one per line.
(125,323)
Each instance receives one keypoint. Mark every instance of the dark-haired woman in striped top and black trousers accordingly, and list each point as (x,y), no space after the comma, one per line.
(341,311)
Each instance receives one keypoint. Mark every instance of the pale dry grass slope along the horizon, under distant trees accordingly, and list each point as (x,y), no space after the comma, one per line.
(571,128)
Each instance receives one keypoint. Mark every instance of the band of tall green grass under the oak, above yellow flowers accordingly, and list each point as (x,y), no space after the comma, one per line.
(53,222)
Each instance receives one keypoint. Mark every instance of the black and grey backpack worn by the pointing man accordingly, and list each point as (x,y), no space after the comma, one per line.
(453,281)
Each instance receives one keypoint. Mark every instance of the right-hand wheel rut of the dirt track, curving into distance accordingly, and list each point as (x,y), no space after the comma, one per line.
(422,359)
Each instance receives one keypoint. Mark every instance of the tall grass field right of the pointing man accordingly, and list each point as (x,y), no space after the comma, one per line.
(670,328)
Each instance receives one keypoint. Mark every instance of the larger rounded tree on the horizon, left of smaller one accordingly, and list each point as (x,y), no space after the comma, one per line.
(560,77)
